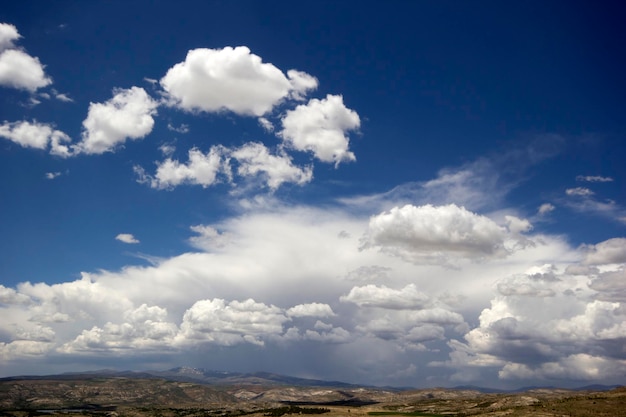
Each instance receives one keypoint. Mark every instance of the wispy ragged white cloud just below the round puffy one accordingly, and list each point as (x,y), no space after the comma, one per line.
(254,158)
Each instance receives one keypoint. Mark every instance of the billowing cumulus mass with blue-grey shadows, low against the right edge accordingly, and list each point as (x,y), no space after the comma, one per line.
(553,323)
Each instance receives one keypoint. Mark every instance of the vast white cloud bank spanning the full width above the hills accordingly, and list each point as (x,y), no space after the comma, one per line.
(276,278)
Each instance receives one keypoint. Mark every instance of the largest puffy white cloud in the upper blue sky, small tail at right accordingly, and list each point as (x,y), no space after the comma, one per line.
(232,79)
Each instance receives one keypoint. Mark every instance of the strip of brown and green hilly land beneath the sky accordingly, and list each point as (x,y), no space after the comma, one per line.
(182,392)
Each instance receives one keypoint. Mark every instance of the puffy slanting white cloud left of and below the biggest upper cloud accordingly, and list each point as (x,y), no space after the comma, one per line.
(128,115)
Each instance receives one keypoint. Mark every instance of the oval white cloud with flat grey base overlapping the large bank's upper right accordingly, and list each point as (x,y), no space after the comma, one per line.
(440,234)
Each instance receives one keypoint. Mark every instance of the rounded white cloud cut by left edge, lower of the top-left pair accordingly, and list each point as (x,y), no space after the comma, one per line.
(22,71)
